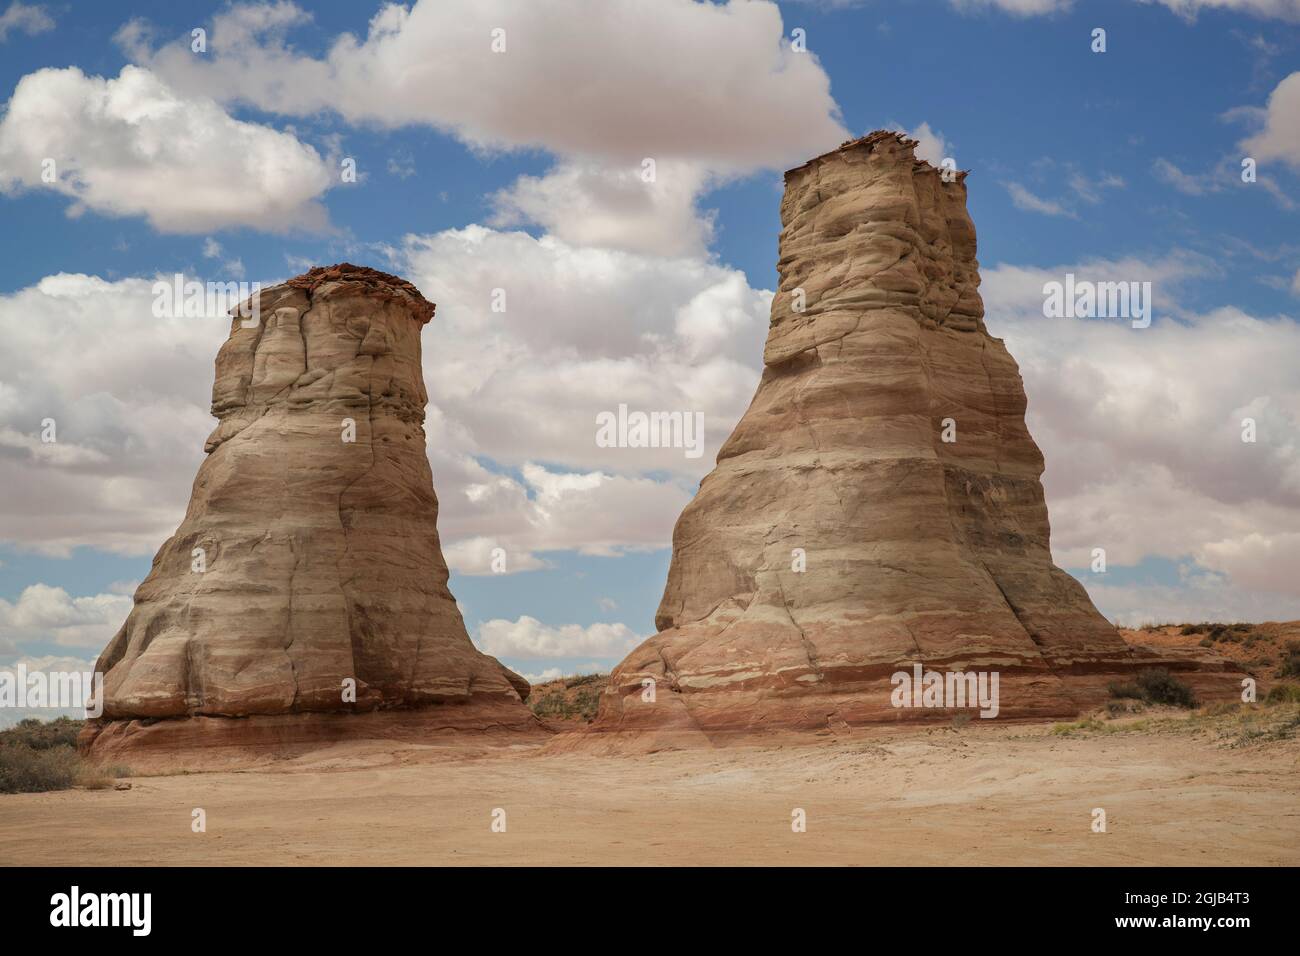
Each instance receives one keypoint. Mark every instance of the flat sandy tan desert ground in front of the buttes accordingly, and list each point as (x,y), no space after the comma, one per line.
(1176,790)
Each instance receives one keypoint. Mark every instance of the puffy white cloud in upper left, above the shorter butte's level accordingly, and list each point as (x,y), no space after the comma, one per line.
(132,146)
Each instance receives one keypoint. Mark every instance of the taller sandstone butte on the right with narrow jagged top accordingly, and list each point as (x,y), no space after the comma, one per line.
(917,550)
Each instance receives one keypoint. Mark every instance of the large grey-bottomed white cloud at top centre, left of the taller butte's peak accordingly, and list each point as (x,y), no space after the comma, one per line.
(587,83)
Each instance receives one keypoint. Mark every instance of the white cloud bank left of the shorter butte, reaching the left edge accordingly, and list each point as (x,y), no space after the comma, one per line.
(128,399)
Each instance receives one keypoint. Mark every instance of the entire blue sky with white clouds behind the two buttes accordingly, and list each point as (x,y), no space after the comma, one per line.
(1124,163)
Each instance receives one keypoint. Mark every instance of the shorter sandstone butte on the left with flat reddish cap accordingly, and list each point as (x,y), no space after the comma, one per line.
(306,561)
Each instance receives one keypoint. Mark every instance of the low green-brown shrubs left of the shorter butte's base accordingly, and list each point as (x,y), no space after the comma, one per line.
(40,756)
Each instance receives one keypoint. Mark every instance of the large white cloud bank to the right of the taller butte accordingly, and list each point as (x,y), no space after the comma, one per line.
(1142,429)
